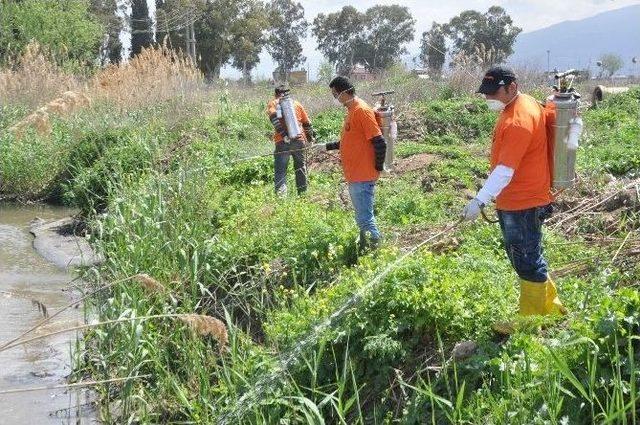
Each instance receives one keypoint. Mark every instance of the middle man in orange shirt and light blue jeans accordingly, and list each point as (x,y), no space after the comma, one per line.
(362,151)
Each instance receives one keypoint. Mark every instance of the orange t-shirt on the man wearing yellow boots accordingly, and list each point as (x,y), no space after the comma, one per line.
(520,143)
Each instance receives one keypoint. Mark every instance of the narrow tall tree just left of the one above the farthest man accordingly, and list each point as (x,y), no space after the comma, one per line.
(249,36)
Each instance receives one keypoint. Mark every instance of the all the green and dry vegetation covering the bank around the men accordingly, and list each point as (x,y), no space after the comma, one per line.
(163,187)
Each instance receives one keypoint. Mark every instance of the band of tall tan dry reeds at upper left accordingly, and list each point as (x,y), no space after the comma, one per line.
(156,76)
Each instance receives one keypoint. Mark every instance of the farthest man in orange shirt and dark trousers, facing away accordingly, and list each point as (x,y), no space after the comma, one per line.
(286,147)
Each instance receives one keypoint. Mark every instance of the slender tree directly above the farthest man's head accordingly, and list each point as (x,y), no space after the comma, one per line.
(288,28)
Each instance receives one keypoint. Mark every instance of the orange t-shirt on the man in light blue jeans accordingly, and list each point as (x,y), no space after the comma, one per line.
(356,149)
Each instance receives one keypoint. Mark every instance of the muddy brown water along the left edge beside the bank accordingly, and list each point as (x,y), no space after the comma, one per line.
(26,279)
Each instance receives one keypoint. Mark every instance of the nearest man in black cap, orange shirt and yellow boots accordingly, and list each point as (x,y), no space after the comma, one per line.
(520,182)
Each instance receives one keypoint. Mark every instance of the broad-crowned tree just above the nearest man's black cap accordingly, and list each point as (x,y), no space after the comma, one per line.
(487,37)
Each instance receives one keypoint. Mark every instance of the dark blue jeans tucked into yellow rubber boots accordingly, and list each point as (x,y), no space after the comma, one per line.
(522,233)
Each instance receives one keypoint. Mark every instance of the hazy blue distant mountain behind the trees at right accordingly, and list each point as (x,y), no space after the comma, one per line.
(579,44)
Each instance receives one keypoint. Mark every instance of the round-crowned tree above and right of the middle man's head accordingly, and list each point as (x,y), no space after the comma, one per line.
(387,29)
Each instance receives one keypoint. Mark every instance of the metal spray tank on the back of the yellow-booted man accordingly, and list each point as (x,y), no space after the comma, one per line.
(567,128)
